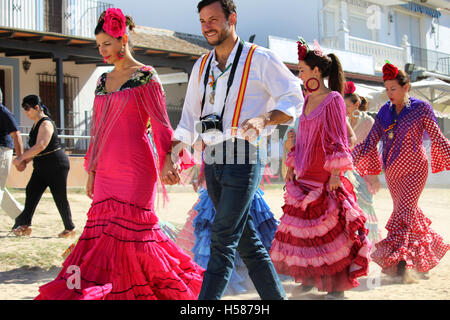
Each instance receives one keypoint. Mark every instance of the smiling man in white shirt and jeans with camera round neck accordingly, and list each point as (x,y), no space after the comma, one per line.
(233,159)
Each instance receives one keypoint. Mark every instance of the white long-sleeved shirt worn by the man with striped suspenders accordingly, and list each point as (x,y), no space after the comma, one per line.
(271,86)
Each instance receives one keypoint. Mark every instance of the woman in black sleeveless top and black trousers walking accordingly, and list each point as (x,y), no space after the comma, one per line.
(51,167)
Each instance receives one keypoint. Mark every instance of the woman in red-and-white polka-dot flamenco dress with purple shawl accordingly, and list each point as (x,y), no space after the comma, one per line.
(400,125)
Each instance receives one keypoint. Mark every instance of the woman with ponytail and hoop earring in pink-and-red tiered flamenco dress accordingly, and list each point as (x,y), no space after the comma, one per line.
(321,240)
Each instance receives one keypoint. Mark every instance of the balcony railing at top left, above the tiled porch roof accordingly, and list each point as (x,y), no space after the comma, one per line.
(71,17)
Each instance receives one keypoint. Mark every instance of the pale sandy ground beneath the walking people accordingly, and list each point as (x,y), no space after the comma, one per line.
(27,263)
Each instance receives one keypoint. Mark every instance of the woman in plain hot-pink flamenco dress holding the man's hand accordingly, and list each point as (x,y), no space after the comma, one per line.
(122,253)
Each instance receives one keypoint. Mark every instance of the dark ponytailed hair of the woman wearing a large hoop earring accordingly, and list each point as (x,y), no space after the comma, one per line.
(330,67)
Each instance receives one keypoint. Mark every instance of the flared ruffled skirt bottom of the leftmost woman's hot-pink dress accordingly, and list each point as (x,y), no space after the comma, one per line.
(123,246)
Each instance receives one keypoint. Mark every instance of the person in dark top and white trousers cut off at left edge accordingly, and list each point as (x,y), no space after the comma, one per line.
(9,140)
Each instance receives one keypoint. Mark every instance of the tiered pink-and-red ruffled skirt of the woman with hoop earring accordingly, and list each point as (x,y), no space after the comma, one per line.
(332,241)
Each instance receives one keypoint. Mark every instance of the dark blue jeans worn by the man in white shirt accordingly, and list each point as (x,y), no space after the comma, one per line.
(231,188)
